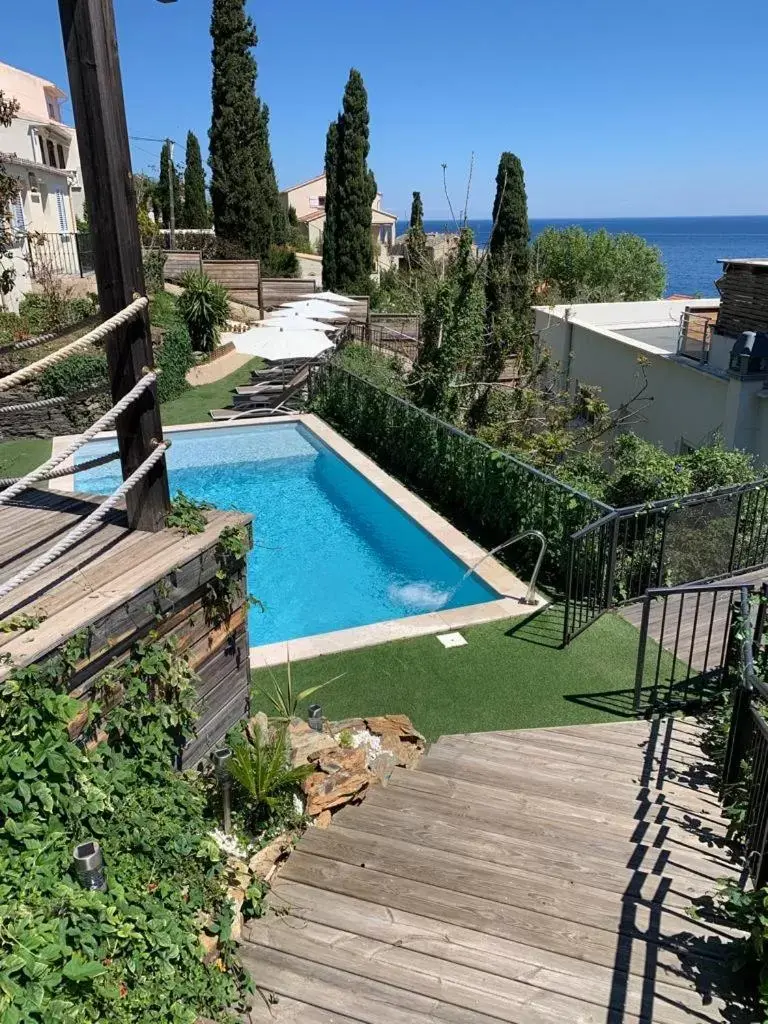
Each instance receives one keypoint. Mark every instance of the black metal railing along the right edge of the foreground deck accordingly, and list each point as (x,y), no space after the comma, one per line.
(746,771)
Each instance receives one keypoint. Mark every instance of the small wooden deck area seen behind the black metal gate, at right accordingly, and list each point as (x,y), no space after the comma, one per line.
(696,642)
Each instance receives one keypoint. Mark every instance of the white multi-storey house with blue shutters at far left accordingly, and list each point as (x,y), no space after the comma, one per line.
(41,152)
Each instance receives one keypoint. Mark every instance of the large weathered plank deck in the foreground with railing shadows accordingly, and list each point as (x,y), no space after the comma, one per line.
(538,877)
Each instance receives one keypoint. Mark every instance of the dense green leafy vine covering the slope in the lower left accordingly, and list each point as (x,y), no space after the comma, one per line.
(132,955)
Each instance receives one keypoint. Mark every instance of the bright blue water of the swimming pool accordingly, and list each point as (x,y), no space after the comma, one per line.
(331,551)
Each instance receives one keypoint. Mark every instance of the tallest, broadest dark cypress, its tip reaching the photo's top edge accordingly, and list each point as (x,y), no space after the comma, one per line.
(244,191)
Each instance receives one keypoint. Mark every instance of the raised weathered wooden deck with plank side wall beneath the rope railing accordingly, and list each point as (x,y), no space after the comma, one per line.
(119,585)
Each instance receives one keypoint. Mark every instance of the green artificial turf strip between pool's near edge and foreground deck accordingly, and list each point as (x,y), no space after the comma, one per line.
(511,675)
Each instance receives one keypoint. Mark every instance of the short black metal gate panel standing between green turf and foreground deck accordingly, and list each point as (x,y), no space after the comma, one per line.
(685,646)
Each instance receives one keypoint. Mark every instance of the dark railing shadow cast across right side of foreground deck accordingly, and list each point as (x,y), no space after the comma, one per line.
(703,960)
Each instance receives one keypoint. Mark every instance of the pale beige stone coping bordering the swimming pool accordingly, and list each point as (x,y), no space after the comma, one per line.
(511,590)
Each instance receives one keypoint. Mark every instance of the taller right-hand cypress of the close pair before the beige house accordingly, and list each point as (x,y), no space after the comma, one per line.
(357,191)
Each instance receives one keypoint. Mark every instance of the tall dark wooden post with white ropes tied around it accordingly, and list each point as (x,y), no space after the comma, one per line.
(92,48)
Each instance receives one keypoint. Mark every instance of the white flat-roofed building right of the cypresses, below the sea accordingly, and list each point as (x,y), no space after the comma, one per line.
(706,361)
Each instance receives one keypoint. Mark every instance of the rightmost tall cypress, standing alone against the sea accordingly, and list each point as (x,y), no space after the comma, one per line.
(508,284)
